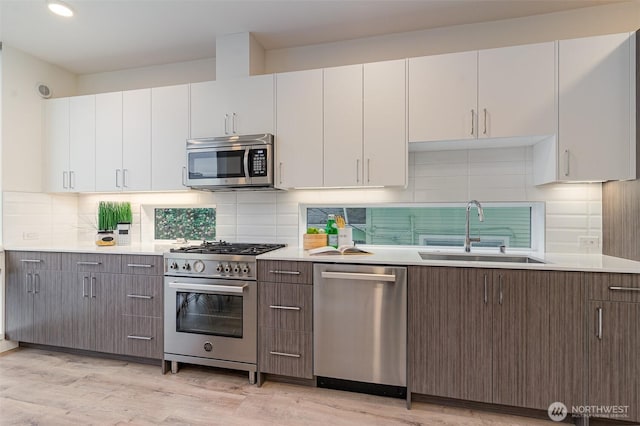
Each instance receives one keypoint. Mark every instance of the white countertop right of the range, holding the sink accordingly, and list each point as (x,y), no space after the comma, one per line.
(410,256)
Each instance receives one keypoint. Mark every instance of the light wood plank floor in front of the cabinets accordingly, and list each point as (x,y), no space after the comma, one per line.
(40,387)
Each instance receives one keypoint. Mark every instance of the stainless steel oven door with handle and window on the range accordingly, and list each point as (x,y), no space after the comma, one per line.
(211,318)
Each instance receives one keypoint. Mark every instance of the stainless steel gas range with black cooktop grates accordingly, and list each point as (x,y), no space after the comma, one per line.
(210,305)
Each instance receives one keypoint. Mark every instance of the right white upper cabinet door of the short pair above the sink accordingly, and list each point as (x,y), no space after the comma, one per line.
(516,91)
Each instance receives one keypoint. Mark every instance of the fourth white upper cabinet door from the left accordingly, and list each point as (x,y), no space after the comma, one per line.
(136,140)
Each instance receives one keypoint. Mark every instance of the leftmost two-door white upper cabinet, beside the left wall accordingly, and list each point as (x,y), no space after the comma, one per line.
(70,144)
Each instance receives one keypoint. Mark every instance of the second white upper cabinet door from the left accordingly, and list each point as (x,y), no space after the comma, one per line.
(82,143)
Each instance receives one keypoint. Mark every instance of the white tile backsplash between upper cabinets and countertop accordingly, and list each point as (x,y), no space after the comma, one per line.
(488,175)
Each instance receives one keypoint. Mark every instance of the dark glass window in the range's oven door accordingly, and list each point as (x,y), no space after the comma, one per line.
(213,314)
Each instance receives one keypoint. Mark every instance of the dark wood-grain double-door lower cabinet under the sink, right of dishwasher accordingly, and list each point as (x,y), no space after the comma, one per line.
(498,336)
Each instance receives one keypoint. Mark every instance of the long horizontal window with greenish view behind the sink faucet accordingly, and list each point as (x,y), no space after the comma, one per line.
(435,226)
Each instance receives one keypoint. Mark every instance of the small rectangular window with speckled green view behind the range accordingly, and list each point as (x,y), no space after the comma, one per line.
(187,223)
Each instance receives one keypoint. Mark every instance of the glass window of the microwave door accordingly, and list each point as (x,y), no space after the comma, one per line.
(216,164)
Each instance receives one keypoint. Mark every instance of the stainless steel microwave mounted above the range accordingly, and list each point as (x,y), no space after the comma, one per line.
(230,162)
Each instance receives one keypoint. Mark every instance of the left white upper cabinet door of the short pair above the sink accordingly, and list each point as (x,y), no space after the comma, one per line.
(443,95)
